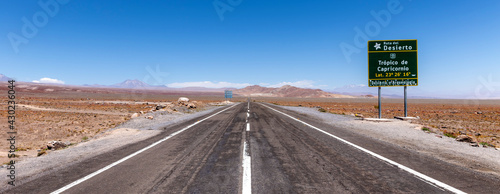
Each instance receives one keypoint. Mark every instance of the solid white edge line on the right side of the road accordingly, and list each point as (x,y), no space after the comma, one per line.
(418,174)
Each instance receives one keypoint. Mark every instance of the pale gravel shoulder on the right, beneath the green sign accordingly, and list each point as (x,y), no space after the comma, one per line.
(412,137)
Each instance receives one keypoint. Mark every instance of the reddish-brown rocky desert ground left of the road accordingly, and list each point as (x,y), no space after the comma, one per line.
(72,115)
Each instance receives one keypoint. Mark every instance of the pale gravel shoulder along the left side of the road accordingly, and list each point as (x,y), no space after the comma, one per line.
(134,130)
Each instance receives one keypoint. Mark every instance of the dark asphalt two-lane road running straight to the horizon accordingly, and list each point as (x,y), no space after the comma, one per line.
(260,148)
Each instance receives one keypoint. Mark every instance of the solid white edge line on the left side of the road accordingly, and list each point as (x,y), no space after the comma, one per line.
(131,155)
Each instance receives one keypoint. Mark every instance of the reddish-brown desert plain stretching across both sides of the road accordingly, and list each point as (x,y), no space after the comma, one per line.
(75,114)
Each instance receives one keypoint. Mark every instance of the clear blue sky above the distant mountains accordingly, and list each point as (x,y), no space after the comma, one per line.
(272,43)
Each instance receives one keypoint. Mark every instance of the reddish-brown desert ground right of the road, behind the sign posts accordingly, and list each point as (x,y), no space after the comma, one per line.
(475,122)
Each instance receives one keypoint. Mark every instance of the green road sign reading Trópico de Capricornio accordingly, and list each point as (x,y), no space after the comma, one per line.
(392,63)
